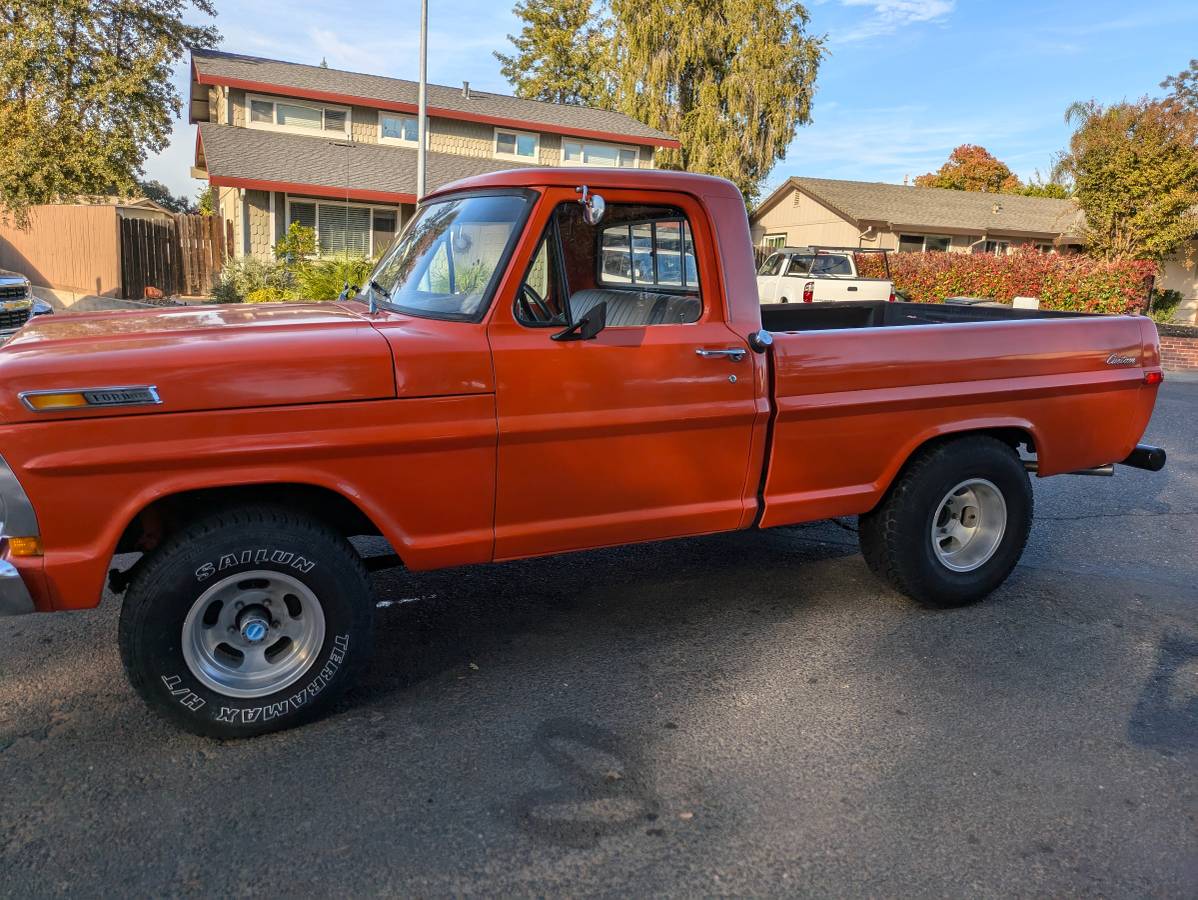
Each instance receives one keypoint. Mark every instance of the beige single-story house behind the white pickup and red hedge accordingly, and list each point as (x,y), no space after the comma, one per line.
(899,218)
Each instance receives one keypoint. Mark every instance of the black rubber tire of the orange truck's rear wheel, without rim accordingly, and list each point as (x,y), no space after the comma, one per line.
(896,537)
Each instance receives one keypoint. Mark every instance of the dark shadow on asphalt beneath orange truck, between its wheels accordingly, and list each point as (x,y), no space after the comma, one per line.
(439,623)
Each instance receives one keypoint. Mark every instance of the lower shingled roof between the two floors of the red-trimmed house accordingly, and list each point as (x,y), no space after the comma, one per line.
(240,156)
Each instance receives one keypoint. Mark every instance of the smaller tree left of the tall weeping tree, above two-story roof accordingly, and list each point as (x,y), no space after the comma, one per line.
(562,53)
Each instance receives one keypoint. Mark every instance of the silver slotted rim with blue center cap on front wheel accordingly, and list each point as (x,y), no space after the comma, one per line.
(253,635)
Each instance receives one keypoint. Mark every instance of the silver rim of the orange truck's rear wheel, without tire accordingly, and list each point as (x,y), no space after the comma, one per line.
(969,525)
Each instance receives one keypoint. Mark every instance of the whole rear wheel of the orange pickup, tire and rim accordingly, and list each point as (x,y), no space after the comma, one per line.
(954,524)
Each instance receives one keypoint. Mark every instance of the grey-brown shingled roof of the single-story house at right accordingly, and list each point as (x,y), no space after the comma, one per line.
(929,208)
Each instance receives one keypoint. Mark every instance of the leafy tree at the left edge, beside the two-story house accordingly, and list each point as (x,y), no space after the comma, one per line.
(86,93)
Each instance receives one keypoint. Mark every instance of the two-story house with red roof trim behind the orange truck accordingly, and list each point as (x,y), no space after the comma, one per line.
(283,142)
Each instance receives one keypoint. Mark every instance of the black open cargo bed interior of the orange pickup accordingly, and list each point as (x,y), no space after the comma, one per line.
(854,315)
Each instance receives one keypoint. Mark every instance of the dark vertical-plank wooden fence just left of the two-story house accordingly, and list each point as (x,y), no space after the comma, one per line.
(178,256)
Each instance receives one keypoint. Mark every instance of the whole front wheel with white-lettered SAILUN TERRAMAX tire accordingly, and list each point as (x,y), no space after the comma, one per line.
(250,621)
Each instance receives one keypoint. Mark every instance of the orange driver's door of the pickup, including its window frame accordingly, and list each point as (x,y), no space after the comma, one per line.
(643,432)
